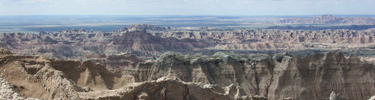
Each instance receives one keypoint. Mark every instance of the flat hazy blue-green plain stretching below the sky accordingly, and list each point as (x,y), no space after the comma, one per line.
(54,23)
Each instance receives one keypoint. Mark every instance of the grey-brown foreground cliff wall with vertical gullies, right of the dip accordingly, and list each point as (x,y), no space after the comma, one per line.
(311,77)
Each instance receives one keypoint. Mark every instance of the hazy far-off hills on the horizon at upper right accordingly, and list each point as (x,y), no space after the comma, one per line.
(329,19)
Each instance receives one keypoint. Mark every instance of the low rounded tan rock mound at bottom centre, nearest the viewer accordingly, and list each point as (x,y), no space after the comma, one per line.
(169,89)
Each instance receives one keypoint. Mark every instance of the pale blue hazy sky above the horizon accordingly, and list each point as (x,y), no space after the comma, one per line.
(187,7)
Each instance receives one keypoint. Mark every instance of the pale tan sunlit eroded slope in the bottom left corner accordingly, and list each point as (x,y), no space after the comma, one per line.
(34,78)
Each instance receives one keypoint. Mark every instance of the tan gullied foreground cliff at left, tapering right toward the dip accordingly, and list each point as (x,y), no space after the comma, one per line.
(38,77)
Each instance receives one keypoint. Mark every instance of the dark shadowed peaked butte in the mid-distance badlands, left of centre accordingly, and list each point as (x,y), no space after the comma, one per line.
(142,41)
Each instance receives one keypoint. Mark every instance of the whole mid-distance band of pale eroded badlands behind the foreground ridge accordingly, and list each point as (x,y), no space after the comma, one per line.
(147,45)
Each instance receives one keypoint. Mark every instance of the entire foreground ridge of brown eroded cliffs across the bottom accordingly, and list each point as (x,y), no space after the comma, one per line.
(191,77)
